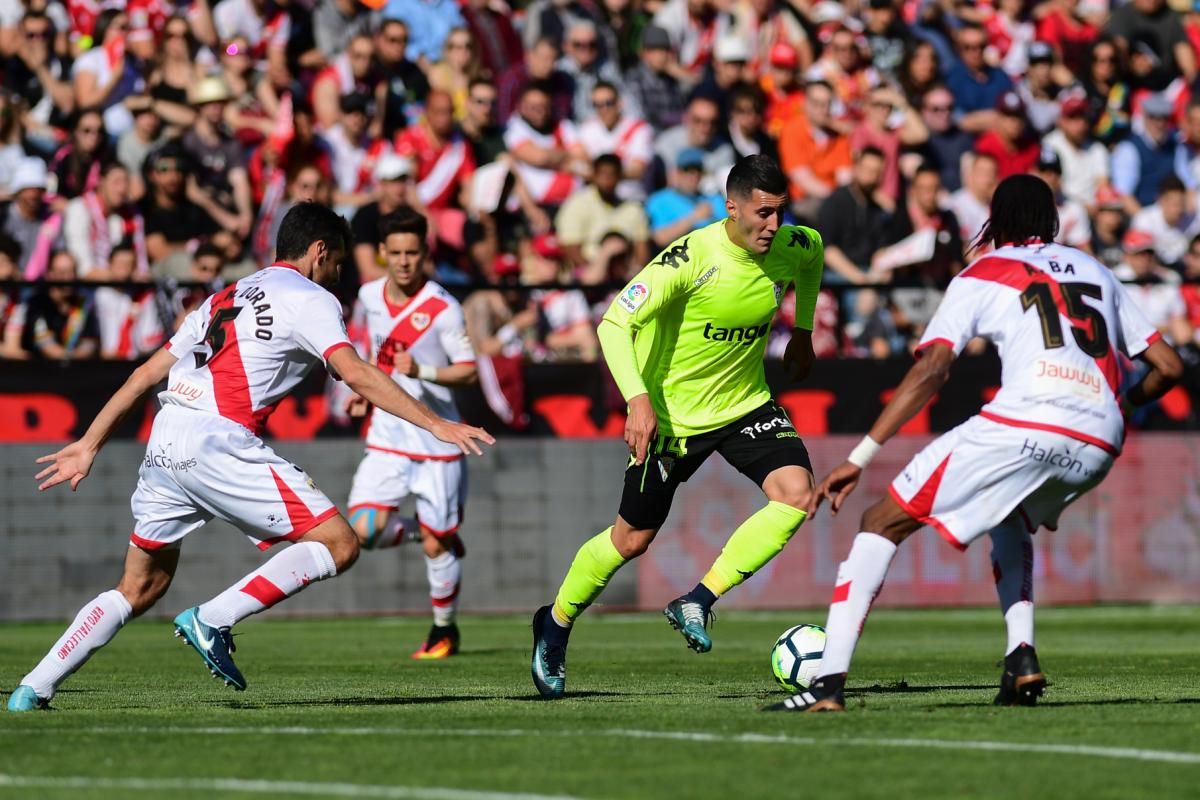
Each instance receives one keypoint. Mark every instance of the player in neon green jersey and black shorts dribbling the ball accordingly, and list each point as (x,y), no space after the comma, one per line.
(685,341)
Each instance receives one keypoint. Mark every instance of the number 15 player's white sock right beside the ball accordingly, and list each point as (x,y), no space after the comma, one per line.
(860,580)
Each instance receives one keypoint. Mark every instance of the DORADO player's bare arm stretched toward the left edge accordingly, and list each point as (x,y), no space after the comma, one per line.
(74,462)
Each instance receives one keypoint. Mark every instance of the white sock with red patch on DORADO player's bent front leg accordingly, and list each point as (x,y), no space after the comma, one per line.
(279,579)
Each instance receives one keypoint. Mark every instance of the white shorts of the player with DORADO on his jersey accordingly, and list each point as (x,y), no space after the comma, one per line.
(201,466)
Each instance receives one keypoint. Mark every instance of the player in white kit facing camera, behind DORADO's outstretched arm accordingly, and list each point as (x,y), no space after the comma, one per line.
(418,336)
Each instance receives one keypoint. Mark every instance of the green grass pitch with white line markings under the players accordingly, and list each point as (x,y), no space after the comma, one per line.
(337,709)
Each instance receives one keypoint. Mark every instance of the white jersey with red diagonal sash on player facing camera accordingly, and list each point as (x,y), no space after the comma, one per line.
(431,328)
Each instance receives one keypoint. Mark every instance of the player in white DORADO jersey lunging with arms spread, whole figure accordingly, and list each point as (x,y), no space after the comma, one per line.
(227,368)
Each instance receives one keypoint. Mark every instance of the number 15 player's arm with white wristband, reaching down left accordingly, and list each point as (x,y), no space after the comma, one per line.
(923,381)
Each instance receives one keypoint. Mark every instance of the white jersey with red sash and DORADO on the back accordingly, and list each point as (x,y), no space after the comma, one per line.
(250,345)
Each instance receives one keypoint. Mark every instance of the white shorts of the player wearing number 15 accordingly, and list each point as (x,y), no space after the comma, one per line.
(974,478)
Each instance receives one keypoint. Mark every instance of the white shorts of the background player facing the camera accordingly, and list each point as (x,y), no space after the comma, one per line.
(386,480)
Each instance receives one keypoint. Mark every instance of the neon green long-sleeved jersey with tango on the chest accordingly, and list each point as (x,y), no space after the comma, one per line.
(692,328)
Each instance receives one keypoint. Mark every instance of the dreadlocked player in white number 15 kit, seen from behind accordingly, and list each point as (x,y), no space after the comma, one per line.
(1059,320)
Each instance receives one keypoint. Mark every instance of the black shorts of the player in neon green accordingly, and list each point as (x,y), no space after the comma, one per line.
(755,446)
